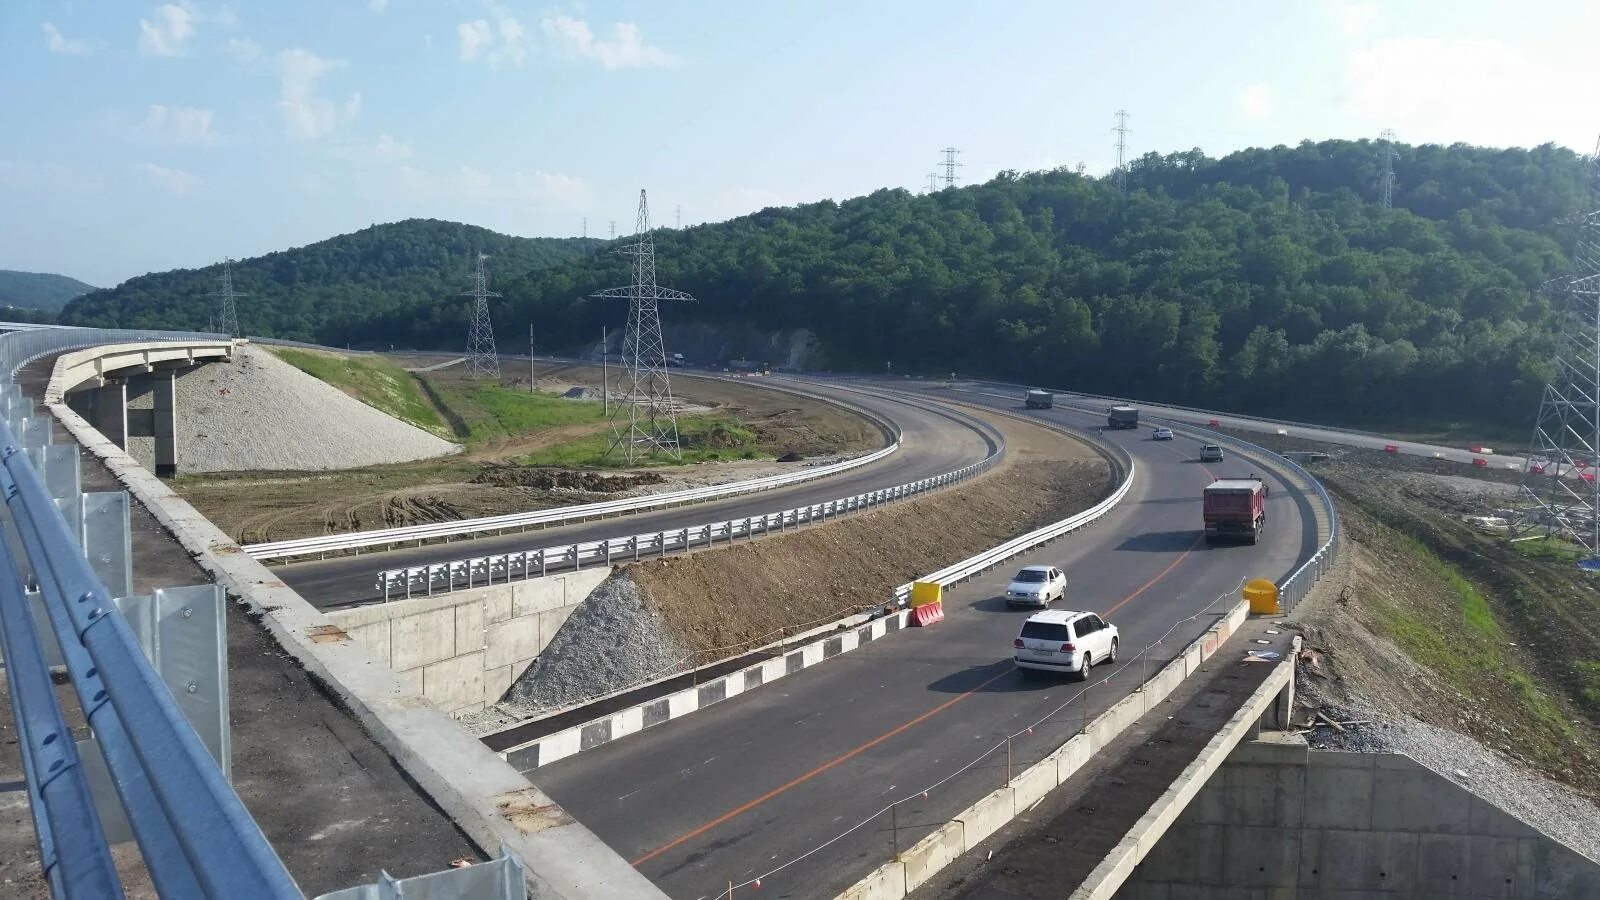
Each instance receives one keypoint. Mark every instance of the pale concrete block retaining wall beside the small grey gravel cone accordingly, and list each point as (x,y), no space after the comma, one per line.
(463,651)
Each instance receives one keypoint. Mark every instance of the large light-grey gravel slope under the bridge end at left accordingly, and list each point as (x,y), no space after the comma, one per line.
(263,414)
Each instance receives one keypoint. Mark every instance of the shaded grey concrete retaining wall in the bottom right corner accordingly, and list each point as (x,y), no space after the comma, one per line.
(1286,822)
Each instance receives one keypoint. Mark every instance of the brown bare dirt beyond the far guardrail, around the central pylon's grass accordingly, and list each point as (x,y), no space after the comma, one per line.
(268,507)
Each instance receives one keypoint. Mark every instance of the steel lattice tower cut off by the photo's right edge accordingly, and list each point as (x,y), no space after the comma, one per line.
(1561,492)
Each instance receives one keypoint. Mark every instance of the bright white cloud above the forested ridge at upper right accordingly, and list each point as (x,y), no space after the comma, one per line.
(1476,90)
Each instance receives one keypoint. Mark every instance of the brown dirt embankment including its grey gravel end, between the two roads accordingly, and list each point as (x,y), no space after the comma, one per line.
(718,605)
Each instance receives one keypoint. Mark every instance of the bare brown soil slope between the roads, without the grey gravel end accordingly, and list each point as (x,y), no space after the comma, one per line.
(719,603)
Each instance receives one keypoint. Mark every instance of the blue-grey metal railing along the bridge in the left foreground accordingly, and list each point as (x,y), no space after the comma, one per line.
(196,837)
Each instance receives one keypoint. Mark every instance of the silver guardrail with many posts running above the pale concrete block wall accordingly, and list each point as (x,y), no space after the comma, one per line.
(484,571)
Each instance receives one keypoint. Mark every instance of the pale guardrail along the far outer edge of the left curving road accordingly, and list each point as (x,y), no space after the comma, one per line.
(546,518)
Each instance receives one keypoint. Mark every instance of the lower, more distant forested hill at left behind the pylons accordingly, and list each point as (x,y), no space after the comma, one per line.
(334,289)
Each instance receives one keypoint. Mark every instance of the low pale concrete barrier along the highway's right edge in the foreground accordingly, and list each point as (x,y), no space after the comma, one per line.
(914,867)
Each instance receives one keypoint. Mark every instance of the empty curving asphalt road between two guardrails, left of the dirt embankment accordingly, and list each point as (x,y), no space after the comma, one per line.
(934,441)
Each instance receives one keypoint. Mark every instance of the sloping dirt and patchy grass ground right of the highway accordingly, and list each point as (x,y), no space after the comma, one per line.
(1530,709)
